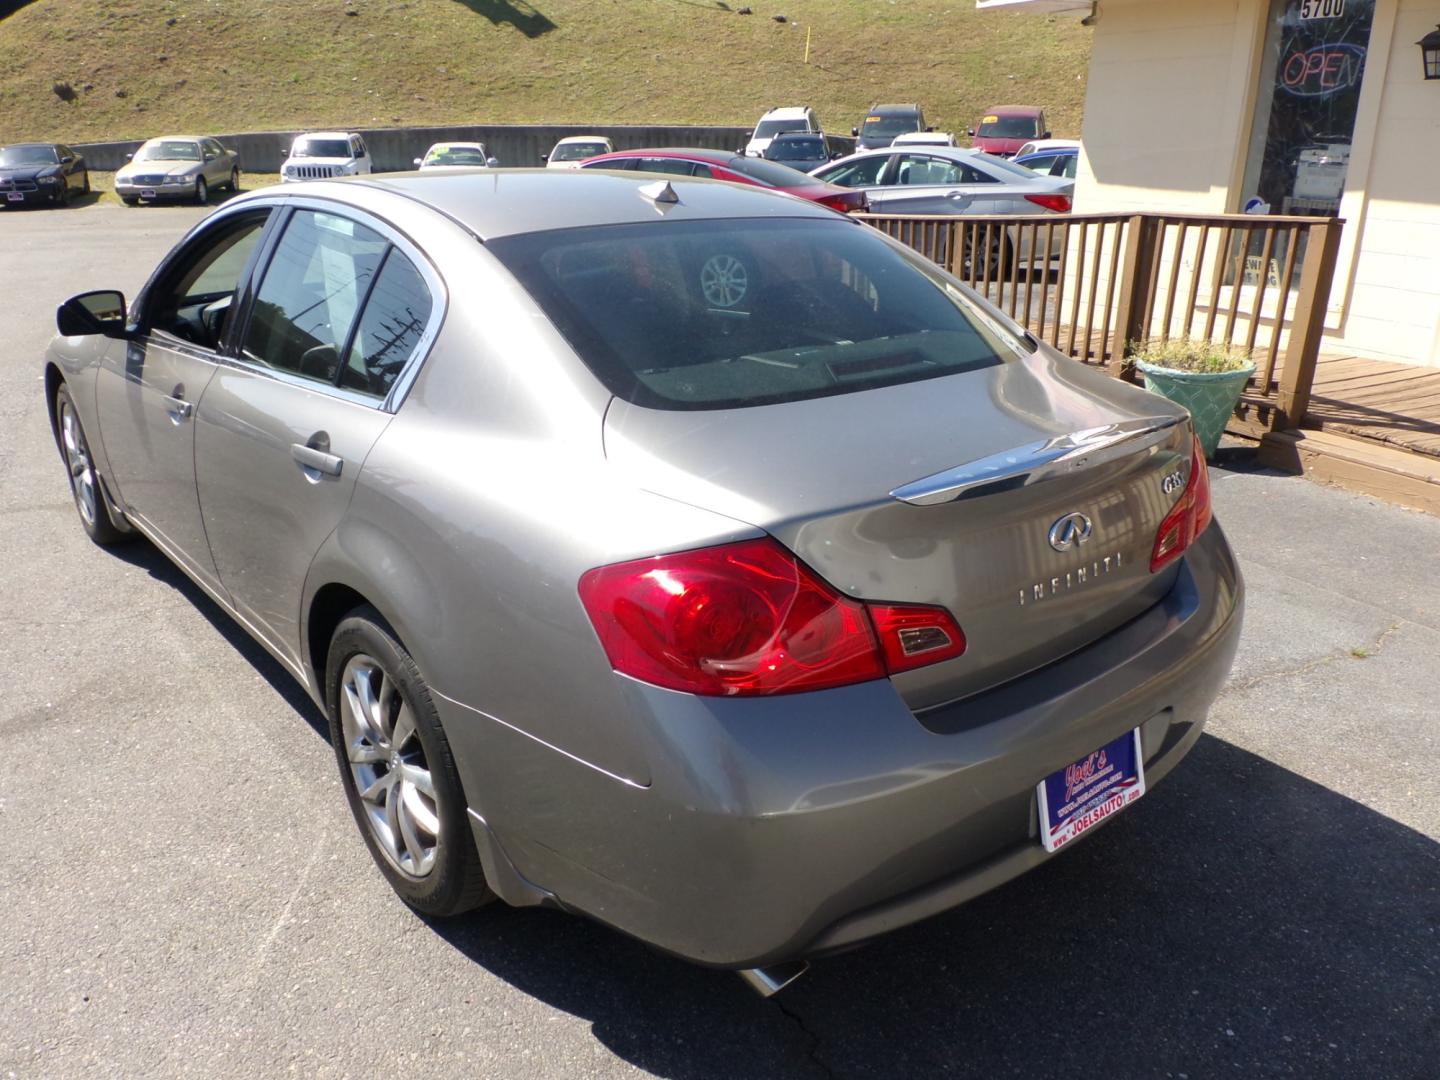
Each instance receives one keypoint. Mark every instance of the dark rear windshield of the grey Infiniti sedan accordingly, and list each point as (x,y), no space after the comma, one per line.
(726,315)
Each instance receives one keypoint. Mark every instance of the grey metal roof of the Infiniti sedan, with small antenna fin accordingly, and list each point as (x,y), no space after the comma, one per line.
(506,202)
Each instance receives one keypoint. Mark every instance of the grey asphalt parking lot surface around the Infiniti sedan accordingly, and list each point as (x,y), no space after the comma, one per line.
(186,894)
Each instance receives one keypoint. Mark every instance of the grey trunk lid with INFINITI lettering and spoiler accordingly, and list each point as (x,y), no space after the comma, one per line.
(970,492)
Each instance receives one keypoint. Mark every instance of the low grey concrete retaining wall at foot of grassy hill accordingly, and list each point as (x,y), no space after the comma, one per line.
(397,149)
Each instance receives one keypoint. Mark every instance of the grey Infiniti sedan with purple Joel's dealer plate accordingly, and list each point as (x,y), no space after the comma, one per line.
(678,554)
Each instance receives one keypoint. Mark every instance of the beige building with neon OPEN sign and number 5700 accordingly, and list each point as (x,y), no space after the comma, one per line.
(1302,107)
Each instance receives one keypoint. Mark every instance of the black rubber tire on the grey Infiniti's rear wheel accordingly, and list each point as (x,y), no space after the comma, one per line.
(456,882)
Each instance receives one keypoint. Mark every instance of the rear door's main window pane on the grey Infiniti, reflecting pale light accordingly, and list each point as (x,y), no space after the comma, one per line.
(307,303)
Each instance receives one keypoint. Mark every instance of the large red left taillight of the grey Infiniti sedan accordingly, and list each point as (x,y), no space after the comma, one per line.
(751,620)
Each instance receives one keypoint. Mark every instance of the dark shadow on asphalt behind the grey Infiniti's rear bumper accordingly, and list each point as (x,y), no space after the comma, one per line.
(1239,919)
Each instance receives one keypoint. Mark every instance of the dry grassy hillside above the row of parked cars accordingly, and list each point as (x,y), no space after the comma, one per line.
(136,68)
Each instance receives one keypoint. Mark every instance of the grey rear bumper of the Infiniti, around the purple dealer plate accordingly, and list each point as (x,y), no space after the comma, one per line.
(798,826)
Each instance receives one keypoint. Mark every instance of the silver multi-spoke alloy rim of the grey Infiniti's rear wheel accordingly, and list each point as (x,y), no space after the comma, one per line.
(388,767)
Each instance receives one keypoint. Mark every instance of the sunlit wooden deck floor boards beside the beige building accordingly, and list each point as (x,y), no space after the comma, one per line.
(1398,405)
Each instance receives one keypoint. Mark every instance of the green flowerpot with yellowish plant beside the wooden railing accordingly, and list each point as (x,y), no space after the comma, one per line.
(1205,378)
